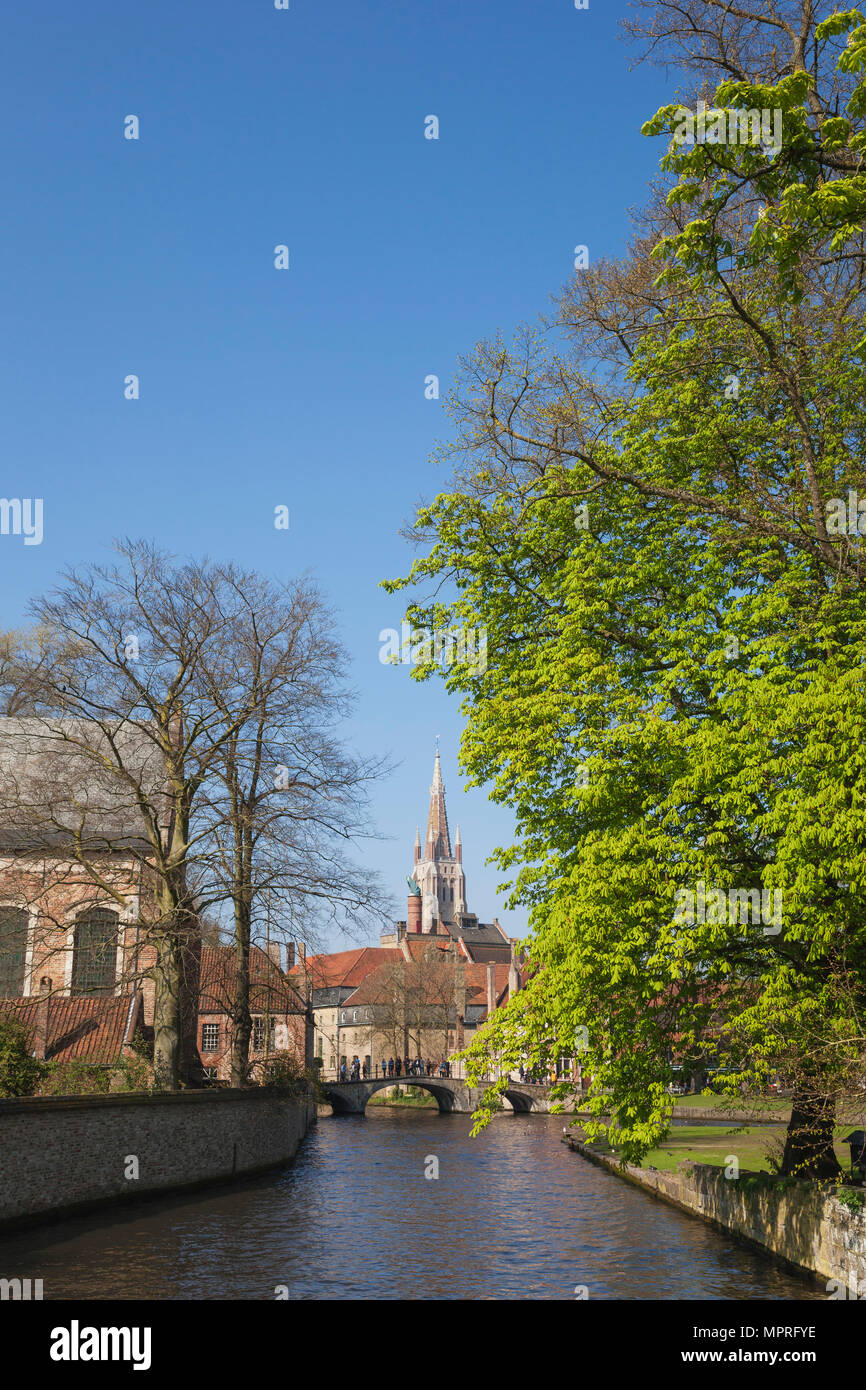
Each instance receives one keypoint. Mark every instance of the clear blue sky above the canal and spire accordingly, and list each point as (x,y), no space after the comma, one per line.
(302,387)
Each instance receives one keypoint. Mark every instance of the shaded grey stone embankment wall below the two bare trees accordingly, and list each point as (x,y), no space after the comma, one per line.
(62,1156)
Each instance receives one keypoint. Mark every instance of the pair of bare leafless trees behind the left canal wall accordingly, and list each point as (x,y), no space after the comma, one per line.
(154,687)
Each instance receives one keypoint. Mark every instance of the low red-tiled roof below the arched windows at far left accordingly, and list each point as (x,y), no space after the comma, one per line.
(88,1031)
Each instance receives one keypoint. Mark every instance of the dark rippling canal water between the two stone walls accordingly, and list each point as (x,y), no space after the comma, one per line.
(514,1214)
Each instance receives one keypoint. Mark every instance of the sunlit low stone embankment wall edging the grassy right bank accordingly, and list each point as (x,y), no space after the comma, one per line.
(806,1225)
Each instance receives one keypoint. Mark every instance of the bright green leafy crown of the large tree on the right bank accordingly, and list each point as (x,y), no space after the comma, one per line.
(676,693)
